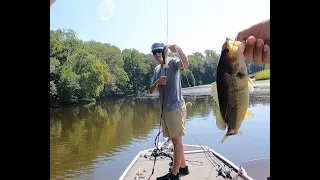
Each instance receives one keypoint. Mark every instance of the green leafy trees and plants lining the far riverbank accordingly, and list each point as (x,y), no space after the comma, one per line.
(83,72)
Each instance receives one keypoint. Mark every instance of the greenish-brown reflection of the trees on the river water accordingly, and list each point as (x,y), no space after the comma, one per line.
(84,135)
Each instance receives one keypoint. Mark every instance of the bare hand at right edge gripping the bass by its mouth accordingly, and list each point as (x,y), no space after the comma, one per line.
(257,47)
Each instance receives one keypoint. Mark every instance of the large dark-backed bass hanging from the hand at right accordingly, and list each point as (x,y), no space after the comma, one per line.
(230,92)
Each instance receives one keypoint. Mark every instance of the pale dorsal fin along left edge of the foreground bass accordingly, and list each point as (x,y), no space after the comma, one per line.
(219,119)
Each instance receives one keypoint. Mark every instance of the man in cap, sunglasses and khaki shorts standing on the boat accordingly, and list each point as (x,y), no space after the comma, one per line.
(166,79)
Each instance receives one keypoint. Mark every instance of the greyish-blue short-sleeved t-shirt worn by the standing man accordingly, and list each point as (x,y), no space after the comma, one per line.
(172,92)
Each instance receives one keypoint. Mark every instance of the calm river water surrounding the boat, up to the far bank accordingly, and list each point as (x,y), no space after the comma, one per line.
(98,141)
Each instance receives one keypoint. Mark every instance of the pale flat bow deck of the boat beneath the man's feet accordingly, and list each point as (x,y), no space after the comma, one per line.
(202,162)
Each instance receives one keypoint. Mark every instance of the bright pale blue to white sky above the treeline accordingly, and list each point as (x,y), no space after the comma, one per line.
(194,25)
